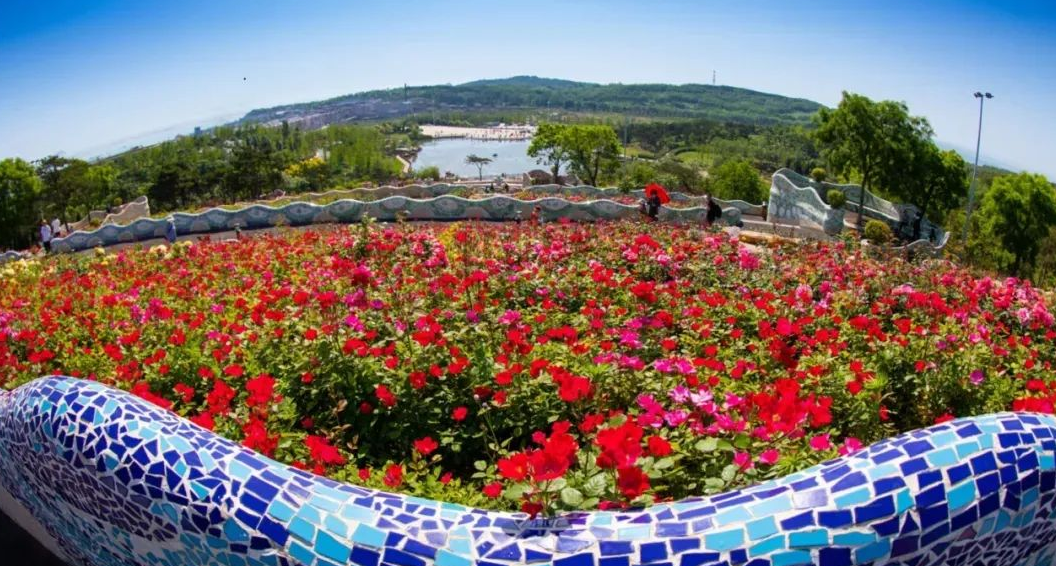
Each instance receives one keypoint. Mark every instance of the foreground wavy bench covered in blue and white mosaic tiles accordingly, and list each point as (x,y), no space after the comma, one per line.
(106,479)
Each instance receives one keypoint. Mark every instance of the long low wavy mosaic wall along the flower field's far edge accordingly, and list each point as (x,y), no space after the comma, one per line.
(441,209)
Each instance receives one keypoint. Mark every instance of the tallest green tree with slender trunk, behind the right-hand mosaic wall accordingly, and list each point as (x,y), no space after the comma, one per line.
(875,141)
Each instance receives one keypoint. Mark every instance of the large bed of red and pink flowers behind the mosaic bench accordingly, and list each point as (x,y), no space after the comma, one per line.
(542,369)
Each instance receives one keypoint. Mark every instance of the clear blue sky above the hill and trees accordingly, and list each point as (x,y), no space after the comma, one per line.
(78,78)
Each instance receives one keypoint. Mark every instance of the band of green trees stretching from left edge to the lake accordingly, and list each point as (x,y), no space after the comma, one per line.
(225,165)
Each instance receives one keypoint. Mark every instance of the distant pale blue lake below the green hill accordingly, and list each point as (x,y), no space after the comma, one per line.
(449,155)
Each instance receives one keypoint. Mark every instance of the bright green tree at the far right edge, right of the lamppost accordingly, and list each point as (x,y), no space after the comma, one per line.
(1019,213)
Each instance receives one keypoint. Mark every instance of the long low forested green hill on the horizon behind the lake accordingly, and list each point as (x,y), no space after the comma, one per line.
(720,104)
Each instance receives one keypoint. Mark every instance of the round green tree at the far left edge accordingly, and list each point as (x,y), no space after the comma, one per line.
(20,191)
